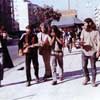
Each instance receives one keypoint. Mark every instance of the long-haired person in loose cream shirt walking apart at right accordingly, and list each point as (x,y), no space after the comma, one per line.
(90,39)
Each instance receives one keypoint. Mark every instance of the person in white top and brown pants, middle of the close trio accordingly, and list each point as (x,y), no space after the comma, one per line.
(45,50)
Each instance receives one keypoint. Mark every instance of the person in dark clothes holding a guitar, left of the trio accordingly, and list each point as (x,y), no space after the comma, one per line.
(28,47)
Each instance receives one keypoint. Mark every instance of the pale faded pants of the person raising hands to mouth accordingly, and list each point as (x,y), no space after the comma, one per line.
(54,60)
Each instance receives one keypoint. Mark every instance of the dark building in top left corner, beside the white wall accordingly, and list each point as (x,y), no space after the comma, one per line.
(6,14)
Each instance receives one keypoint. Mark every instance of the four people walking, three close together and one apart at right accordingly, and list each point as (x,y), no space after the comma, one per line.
(50,47)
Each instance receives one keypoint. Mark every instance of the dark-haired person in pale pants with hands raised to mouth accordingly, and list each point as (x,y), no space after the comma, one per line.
(56,53)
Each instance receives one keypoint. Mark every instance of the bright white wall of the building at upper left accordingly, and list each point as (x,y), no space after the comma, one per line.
(21,13)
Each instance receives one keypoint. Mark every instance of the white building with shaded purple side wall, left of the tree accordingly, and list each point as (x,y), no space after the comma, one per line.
(23,13)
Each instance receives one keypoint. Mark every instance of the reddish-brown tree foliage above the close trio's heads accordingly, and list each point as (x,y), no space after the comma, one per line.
(46,14)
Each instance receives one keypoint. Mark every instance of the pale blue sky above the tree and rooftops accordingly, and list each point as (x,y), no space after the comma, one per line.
(85,8)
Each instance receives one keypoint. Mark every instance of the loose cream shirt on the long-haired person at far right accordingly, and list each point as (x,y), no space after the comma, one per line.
(92,39)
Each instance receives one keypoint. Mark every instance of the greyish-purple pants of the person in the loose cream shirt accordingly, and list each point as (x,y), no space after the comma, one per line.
(93,65)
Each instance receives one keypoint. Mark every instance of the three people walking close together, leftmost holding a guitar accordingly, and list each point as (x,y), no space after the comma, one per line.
(50,48)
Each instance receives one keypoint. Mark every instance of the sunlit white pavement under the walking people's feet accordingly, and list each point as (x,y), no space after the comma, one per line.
(71,88)
